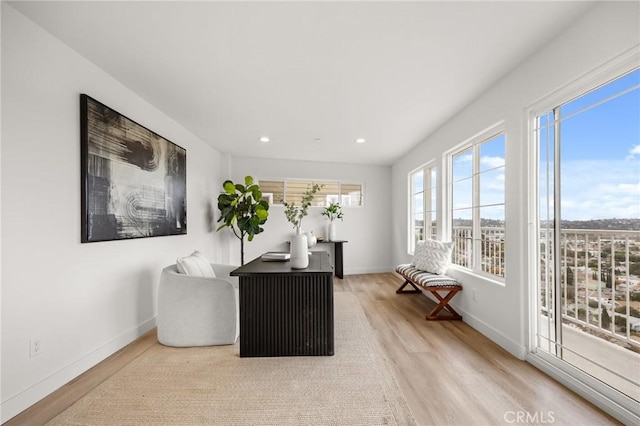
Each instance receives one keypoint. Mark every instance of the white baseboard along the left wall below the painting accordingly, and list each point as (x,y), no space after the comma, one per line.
(25,399)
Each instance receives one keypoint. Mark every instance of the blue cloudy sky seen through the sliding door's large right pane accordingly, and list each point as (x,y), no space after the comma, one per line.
(600,152)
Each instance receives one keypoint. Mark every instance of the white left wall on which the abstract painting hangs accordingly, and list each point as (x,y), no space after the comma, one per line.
(83,301)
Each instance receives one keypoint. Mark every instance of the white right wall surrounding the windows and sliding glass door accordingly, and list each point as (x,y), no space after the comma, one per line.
(500,311)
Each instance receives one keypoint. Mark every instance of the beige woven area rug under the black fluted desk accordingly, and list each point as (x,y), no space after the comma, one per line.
(213,385)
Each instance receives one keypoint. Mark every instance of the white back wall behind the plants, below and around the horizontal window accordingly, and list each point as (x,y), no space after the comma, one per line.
(366,228)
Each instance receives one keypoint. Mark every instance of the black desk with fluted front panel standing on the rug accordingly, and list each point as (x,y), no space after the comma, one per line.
(284,311)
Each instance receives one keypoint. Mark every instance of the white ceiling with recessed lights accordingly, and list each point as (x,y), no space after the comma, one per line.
(230,72)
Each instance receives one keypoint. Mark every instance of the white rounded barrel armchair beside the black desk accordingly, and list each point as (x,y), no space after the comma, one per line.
(198,311)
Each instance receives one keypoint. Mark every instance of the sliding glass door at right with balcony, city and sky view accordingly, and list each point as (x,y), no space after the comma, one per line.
(589,243)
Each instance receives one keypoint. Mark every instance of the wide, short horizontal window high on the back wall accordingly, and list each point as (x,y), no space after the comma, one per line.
(291,191)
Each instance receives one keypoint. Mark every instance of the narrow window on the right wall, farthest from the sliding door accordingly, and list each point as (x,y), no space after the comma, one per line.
(423,222)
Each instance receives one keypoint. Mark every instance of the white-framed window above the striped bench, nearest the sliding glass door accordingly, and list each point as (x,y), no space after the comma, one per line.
(477,192)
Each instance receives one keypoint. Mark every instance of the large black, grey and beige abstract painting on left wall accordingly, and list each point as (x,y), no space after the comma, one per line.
(133,180)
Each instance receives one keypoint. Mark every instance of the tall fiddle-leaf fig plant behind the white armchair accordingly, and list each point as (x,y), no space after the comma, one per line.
(243,210)
